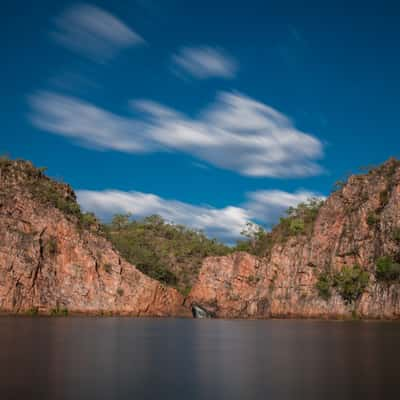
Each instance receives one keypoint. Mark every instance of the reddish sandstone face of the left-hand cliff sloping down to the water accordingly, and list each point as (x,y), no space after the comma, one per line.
(48,263)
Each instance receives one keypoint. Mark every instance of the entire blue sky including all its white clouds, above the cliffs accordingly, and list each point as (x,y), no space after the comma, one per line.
(209,113)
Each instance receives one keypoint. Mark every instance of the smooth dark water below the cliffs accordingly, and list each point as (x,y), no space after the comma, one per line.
(123,358)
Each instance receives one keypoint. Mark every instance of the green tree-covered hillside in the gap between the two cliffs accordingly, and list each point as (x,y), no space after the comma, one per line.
(169,253)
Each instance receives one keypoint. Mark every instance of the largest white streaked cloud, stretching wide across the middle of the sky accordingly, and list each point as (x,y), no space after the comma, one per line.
(235,133)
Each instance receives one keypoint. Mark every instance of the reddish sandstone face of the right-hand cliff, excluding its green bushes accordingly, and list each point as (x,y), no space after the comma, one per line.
(356,225)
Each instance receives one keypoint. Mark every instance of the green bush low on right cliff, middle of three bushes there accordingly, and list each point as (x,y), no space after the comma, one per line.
(351,282)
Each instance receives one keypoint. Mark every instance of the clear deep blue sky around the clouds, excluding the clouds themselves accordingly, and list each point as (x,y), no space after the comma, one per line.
(332,67)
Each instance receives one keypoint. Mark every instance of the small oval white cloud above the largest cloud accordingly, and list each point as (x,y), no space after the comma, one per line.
(205,62)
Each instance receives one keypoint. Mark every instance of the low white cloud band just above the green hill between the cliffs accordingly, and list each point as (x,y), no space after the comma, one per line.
(224,223)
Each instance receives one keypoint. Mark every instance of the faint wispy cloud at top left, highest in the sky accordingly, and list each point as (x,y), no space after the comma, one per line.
(93,32)
